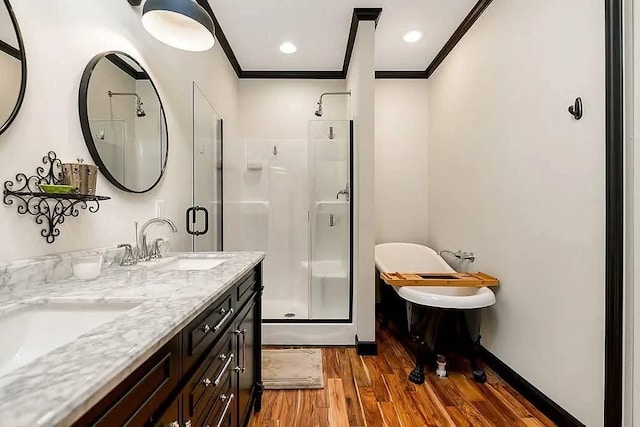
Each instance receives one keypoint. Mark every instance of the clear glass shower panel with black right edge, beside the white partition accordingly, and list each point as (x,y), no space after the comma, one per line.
(330,217)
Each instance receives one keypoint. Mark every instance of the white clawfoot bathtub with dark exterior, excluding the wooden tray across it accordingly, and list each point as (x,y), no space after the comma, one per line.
(438,318)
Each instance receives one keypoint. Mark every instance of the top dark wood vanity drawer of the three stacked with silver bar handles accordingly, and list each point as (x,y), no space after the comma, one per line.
(205,330)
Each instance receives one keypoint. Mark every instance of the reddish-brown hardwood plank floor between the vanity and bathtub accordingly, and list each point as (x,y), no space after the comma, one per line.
(374,391)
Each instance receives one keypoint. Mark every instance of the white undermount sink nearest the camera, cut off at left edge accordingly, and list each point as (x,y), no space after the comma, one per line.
(29,332)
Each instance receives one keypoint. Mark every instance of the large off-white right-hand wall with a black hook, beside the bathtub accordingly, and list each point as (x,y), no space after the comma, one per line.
(514,178)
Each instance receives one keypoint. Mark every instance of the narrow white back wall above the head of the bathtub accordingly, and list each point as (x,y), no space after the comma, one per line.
(401,161)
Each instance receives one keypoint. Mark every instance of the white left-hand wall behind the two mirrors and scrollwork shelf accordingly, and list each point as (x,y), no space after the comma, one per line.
(60,38)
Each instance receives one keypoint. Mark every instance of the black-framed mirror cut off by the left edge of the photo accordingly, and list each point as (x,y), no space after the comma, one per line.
(13,66)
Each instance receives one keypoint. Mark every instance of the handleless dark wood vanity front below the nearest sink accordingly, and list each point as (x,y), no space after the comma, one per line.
(134,401)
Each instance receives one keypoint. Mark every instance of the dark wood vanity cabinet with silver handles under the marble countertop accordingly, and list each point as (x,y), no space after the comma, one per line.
(209,374)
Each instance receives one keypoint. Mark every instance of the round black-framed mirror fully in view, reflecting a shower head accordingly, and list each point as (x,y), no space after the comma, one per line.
(123,122)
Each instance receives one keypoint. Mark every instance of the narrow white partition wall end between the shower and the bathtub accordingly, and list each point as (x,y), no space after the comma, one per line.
(361,82)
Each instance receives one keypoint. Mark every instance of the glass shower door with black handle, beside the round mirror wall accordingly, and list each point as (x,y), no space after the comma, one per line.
(206,218)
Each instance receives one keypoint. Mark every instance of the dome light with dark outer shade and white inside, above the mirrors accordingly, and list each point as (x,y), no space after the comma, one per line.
(182,24)
